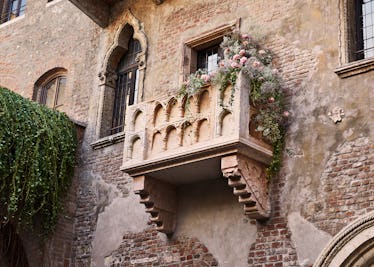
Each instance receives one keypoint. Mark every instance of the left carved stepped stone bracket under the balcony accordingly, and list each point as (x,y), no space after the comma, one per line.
(160,201)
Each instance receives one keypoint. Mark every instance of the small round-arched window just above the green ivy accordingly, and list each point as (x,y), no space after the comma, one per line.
(50,88)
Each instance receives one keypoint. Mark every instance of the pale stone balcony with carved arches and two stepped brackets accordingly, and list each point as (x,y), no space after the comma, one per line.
(171,142)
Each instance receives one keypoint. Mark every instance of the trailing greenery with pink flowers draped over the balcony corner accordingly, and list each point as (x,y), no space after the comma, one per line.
(242,53)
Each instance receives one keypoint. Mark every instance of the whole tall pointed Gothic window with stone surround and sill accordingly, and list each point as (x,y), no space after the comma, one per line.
(121,79)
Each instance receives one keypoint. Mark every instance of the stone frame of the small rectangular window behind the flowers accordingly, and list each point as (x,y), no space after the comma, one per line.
(192,45)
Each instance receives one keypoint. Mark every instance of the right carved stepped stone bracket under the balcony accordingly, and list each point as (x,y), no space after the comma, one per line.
(248,180)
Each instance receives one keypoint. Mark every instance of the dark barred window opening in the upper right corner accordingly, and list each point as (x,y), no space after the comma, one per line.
(362,40)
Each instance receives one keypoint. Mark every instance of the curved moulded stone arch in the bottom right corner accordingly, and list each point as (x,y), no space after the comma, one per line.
(352,246)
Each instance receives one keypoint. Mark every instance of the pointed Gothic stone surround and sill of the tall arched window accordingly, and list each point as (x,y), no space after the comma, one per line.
(108,77)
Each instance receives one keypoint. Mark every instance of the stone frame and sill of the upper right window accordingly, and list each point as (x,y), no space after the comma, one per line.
(346,68)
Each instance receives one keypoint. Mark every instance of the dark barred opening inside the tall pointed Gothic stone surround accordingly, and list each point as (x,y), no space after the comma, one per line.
(126,85)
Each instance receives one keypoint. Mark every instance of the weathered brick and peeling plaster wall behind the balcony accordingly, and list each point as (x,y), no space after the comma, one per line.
(325,180)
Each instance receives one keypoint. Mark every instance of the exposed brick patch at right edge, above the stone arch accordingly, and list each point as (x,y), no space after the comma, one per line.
(347,187)
